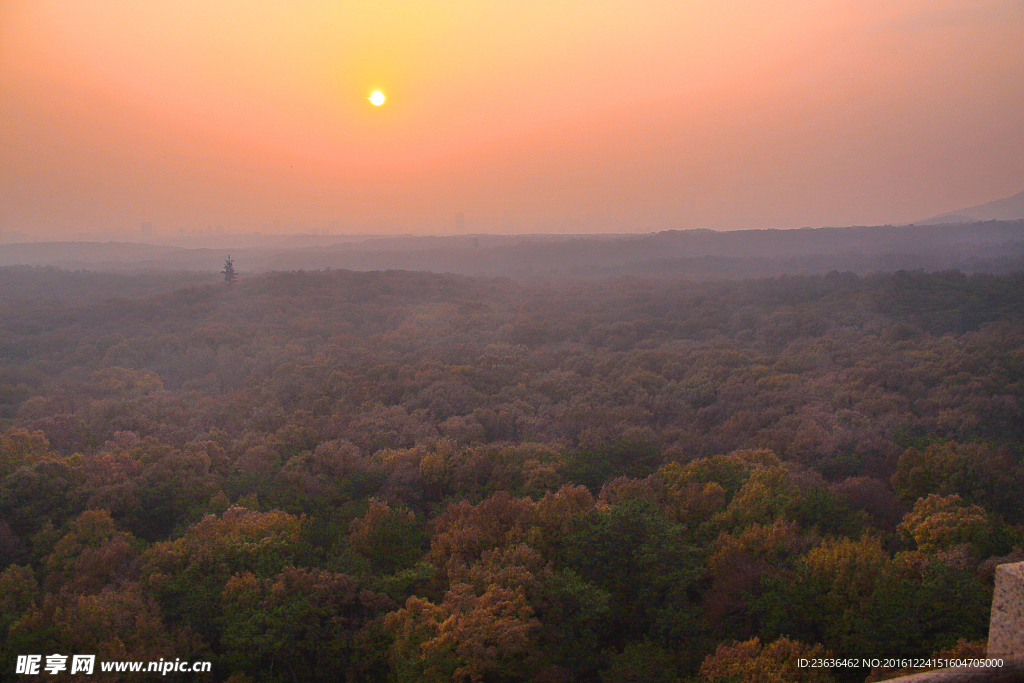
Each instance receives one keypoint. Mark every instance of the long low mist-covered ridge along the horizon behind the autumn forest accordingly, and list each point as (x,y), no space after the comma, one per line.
(993,246)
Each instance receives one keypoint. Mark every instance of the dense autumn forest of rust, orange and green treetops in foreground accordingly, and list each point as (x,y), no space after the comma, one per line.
(408,477)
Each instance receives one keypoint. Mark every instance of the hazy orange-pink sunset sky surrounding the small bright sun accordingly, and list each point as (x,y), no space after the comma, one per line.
(526,116)
